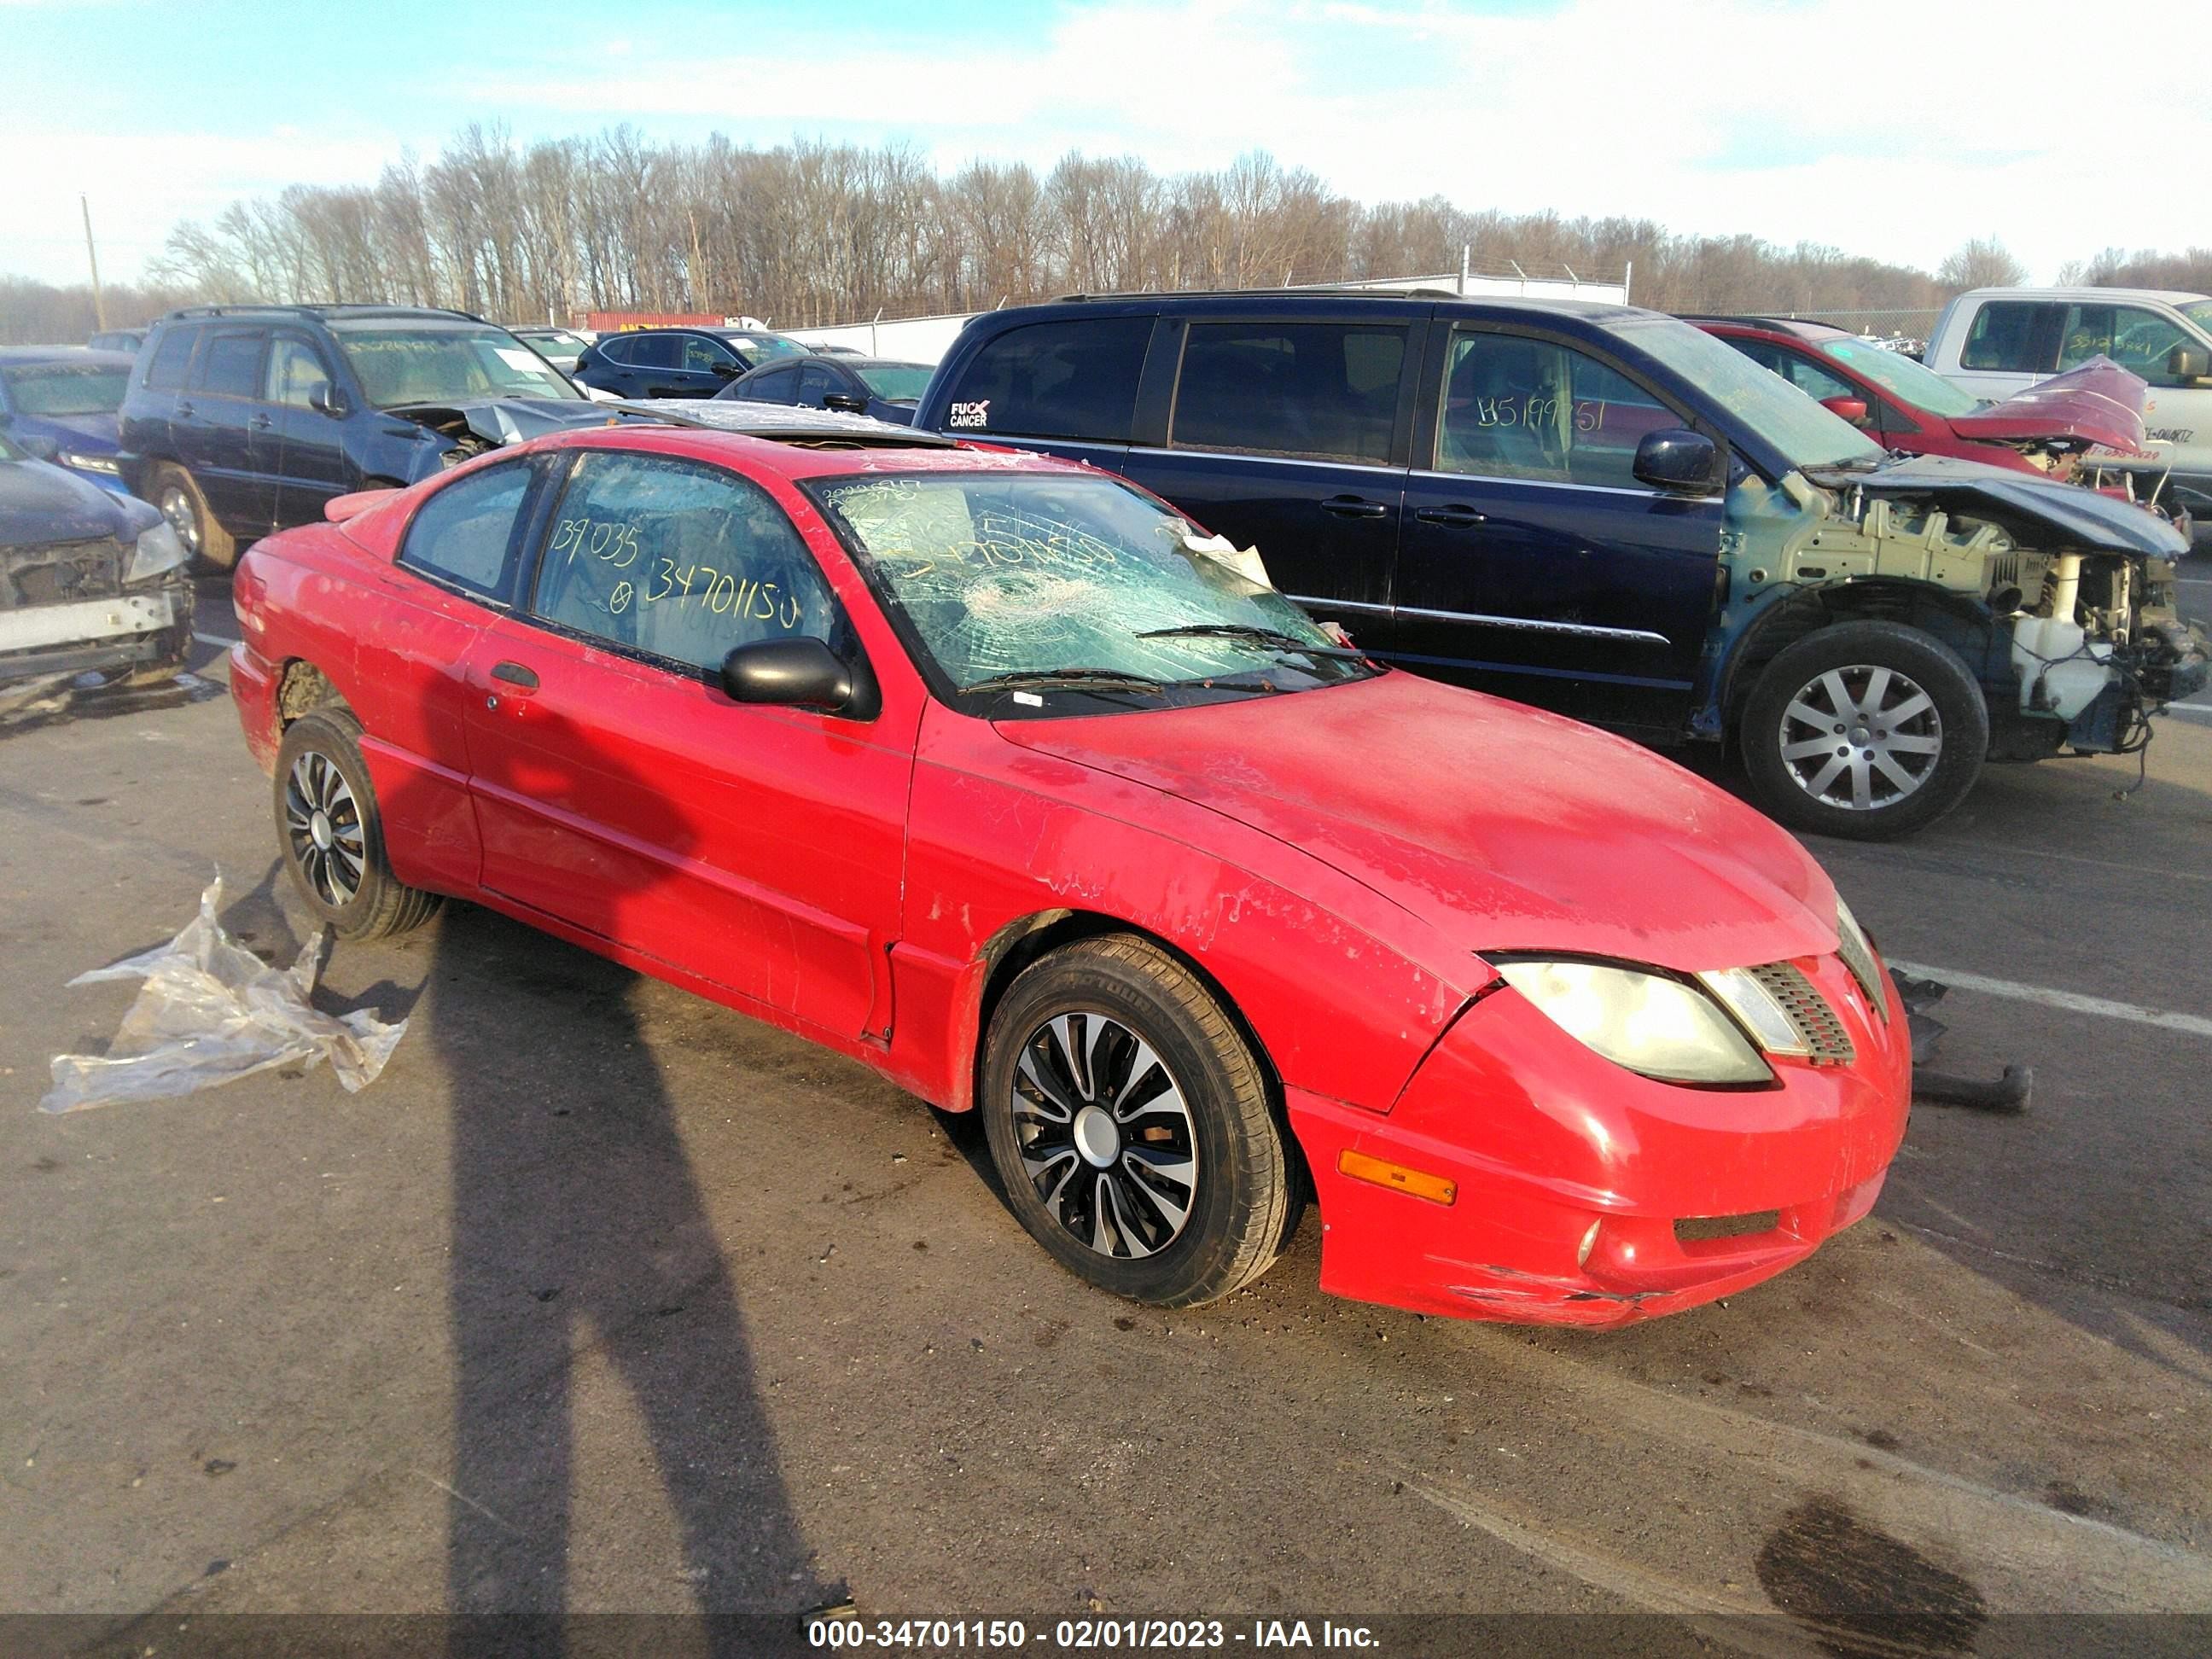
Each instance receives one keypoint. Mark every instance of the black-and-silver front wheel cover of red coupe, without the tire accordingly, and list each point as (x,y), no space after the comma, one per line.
(1105,1136)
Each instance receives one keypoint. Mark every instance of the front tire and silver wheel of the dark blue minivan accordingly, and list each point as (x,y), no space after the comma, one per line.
(1866,731)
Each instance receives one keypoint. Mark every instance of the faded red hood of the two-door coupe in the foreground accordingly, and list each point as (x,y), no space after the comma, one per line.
(1501,826)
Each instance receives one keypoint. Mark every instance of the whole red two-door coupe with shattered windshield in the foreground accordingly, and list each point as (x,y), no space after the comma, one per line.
(992,773)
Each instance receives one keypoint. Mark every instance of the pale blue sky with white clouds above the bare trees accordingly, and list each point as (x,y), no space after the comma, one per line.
(1892,129)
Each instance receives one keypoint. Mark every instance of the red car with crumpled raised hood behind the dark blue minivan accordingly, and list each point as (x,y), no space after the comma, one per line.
(1908,406)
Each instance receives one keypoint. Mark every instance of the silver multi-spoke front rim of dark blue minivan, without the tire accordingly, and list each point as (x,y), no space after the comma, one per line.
(1861,738)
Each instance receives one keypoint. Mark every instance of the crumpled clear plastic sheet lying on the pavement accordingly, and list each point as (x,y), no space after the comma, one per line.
(213,1012)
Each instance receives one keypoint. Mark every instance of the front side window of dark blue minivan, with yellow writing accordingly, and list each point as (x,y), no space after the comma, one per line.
(1525,408)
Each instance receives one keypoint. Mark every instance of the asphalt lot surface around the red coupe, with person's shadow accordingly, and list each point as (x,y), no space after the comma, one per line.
(612,1300)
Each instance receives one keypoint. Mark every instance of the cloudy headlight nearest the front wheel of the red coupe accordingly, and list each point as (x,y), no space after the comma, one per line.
(1647,1023)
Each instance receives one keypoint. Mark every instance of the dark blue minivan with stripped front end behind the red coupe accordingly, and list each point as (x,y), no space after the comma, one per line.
(1611,514)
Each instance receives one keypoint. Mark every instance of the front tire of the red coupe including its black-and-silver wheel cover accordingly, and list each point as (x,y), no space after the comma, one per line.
(1131,1127)
